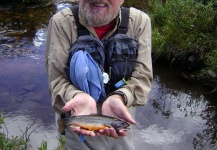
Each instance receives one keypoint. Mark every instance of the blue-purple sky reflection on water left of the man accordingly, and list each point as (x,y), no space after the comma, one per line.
(24,96)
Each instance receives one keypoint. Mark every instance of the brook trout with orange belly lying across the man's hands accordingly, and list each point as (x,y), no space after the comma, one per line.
(93,123)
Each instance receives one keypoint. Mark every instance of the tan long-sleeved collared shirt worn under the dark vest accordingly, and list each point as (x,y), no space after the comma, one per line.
(62,33)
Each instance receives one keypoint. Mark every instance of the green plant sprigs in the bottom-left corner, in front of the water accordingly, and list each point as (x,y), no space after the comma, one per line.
(22,142)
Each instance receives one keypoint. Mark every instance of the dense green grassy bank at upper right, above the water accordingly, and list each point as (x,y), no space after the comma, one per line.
(185,35)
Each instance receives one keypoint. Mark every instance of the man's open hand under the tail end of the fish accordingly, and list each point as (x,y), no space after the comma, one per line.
(81,104)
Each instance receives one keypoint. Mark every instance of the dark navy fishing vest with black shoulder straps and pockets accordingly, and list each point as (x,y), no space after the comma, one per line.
(115,56)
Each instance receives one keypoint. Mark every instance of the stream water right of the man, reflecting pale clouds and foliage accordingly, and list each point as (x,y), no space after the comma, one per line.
(176,118)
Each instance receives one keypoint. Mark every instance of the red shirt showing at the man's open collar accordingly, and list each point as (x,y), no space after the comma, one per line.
(101,31)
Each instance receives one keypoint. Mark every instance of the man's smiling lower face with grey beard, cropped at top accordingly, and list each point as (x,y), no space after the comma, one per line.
(99,12)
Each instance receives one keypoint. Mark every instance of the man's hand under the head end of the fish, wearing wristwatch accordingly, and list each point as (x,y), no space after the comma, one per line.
(113,106)
